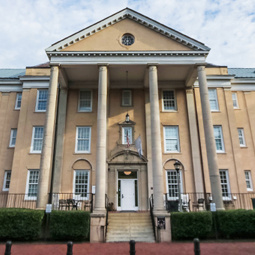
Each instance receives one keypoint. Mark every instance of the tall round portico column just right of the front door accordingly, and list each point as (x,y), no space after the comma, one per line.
(156,150)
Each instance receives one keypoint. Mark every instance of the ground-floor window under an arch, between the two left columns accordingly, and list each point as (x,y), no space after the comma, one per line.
(81,184)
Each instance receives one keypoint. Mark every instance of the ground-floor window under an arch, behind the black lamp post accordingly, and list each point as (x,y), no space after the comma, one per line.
(172,184)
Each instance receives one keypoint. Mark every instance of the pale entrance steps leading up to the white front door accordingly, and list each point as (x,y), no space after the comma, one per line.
(126,226)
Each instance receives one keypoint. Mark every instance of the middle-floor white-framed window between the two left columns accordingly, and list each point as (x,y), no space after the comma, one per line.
(83,135)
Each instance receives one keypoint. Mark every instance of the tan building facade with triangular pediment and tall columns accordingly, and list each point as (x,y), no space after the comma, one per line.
(116,106)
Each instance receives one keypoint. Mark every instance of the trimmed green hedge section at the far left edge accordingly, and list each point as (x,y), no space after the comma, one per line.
(20,224)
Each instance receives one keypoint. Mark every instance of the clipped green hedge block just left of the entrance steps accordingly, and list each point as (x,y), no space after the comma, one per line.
(73,225)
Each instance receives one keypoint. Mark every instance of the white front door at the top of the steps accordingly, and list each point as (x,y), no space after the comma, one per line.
(128,195)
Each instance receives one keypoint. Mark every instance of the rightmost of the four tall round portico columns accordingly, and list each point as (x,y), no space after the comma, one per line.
(209,140)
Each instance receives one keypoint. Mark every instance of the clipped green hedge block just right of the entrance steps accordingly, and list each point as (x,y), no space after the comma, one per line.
(191,225)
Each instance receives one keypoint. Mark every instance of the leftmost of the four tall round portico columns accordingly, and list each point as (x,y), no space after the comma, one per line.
(48,141)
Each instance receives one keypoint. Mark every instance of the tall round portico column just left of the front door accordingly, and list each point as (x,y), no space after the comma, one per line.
(101,140)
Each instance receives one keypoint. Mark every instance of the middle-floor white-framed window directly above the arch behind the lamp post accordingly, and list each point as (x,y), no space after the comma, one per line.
(171,139)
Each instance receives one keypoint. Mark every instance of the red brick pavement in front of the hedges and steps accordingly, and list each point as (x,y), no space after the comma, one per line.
(231,248)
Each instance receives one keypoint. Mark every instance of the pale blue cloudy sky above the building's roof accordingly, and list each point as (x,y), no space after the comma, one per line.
(28,27)
